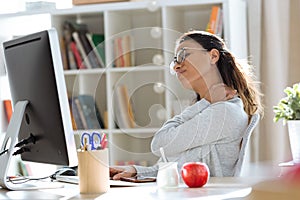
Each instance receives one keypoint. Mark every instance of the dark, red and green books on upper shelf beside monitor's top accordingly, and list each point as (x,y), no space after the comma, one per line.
(82,49)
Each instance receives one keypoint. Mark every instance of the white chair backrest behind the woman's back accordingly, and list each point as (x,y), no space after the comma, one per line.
(252,124)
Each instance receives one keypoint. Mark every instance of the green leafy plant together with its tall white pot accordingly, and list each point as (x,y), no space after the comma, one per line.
(288,109)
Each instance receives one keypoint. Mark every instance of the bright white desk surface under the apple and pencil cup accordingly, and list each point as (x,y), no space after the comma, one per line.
(216,188)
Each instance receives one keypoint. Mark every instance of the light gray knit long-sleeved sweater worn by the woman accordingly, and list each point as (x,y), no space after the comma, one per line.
(205,132)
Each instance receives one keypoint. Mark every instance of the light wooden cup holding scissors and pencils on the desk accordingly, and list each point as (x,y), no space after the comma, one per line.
(93,171)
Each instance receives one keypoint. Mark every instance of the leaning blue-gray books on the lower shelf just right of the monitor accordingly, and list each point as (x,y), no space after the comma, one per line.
(85,113)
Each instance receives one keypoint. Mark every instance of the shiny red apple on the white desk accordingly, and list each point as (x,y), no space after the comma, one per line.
(195,174)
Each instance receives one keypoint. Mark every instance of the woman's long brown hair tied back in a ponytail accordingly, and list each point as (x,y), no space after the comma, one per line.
(234,73)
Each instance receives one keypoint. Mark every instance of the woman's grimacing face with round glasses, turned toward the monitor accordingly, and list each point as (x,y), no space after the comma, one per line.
(196,65)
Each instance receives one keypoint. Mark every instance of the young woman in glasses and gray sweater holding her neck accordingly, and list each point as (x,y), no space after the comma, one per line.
(211,129)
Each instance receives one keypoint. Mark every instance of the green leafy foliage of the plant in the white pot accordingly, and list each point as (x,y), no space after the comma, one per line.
(288,107)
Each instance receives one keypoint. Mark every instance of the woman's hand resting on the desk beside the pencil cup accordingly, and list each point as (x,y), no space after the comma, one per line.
(116,172)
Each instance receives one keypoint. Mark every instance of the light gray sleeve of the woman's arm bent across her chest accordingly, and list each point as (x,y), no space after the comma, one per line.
(200,124)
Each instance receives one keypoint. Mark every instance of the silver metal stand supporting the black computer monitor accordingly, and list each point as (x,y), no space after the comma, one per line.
(8,143)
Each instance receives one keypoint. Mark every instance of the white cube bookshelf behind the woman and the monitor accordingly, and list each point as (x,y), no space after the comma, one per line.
(155,95)
